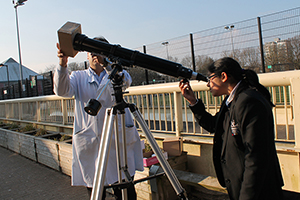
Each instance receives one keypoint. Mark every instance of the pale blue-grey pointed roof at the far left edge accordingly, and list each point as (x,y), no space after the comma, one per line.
(14,71)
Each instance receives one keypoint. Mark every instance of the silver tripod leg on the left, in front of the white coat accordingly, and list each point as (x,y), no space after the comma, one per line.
(103,156)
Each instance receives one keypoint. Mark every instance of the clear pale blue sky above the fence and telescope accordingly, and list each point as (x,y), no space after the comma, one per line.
(130,23)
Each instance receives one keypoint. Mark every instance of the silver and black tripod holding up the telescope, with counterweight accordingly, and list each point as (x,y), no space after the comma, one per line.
(111,121)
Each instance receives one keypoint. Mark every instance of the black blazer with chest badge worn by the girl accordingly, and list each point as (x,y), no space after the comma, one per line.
(244,152)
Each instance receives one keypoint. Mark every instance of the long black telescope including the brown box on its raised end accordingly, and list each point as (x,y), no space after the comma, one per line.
(71,41)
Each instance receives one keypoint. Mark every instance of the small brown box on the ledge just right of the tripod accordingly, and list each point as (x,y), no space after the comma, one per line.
(173,145)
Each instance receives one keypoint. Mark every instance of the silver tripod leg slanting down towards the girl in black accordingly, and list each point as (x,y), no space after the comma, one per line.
(164,164)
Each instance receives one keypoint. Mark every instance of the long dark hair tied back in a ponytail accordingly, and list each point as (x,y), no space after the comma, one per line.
(235,73)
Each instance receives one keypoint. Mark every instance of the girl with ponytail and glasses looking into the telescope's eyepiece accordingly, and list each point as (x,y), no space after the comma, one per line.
(244,152)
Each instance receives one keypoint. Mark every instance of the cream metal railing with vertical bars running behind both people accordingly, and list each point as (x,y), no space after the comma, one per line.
(165,110)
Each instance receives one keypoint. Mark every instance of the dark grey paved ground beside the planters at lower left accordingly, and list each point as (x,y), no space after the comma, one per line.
(21,178)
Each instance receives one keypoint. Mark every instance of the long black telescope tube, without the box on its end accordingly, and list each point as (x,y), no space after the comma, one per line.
(83,43)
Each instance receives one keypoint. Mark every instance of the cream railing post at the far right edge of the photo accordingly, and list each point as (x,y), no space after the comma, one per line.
(295,82)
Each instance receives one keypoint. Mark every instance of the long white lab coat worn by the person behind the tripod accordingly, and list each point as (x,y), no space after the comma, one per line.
(88,129)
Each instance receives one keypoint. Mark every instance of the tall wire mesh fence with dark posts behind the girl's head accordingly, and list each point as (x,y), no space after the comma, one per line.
(267,43)
